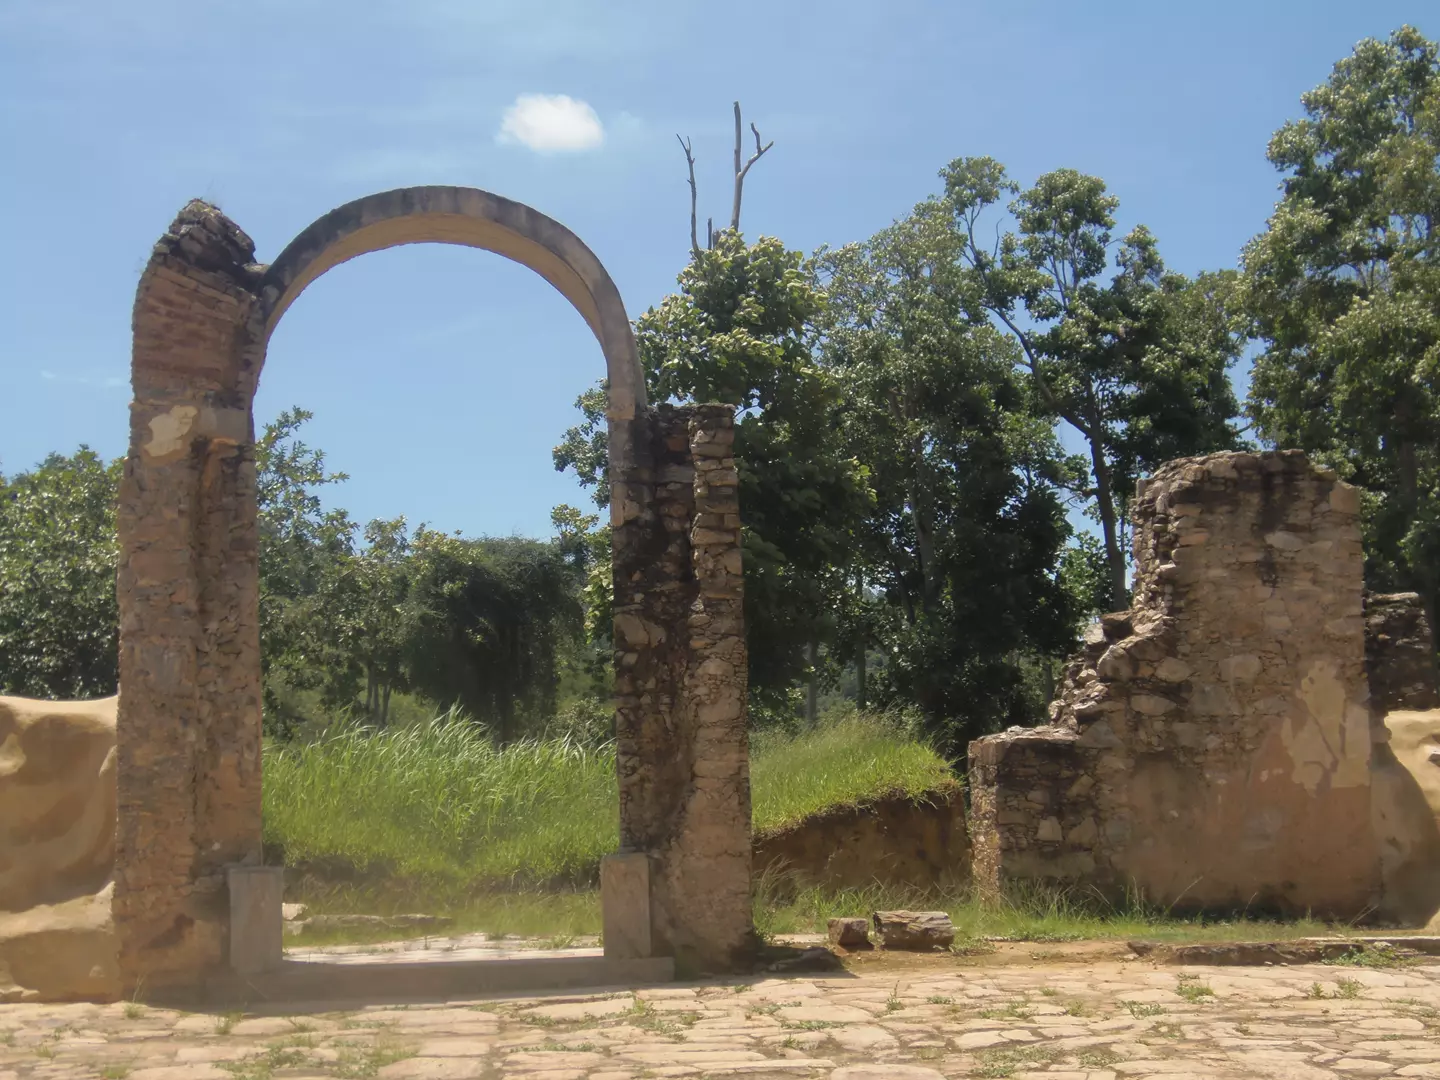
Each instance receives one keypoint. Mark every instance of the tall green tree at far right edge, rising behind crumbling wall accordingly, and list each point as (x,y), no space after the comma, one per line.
(1344,289)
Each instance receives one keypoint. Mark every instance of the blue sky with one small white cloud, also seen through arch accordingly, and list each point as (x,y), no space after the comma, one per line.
(441,378)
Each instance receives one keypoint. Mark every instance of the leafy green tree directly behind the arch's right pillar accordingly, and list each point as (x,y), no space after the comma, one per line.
(739,330)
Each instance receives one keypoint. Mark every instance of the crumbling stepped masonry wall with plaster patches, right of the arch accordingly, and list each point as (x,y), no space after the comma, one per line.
(1210,747)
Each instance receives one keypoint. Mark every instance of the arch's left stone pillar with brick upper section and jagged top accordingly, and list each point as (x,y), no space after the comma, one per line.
(189,726)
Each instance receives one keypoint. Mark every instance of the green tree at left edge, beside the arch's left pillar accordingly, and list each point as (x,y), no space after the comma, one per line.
(60,624)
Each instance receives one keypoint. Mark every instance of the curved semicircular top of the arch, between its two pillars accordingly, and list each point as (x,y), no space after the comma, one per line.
(476,220)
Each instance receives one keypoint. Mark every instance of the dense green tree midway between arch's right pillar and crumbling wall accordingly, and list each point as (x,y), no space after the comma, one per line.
(968,523)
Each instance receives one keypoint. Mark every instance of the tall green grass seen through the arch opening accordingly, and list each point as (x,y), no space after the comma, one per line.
(441,800)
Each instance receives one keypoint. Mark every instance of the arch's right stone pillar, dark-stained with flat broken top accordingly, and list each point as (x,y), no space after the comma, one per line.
(683,755)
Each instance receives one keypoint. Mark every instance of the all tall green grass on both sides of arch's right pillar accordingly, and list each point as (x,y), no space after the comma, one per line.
(441,801)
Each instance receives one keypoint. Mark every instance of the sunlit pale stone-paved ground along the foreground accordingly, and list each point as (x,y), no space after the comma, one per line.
(924,1022)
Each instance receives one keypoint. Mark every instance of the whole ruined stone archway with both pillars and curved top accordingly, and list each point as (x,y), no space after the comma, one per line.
(189,726)
